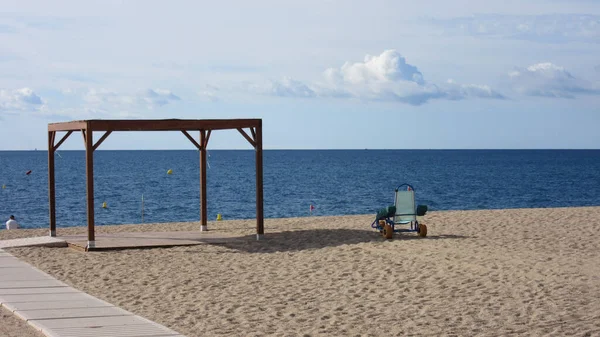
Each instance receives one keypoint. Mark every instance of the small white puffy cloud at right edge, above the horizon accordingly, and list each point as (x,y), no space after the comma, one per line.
(549,80)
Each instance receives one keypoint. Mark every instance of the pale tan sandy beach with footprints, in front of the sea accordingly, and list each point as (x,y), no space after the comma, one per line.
(478,273)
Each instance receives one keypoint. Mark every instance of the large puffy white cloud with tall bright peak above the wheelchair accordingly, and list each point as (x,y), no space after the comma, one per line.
(386,77)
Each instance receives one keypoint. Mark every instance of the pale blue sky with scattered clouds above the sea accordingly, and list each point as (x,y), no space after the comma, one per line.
(322,74)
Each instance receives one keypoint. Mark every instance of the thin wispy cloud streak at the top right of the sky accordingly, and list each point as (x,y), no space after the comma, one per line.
(553,28)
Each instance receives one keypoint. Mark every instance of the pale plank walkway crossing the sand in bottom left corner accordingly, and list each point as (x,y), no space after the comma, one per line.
(57,310)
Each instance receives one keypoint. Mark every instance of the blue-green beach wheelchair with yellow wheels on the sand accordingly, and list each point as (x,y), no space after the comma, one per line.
(404,211)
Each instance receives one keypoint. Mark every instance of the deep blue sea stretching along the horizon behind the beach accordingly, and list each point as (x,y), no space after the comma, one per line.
(336,182)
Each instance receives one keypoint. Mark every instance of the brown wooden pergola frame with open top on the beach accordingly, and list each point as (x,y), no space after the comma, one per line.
(205,127)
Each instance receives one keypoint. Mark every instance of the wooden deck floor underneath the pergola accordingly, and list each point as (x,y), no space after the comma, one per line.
(147,240)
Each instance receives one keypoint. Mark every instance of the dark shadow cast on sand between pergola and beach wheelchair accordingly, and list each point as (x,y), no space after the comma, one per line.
(289,241)
